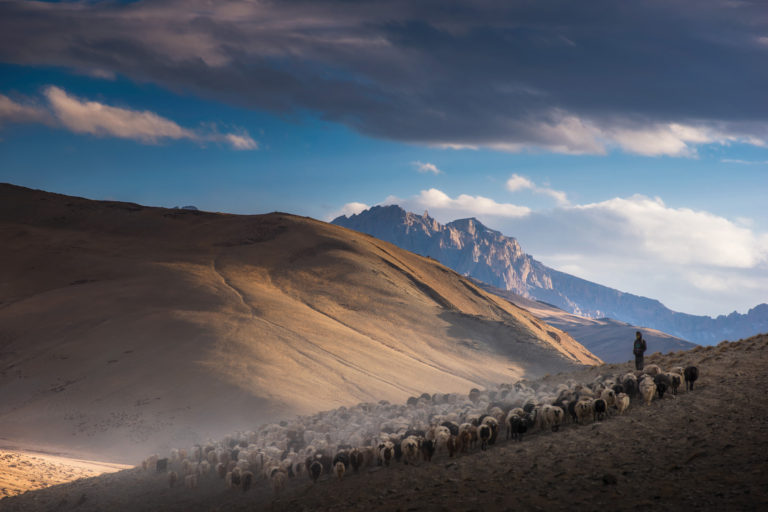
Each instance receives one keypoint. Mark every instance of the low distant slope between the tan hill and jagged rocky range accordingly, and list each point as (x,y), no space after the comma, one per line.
(610,340)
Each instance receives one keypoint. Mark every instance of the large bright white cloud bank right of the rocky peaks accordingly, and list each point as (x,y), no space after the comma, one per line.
(694,261)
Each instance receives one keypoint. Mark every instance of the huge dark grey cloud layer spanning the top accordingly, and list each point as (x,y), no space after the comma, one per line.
(566,76)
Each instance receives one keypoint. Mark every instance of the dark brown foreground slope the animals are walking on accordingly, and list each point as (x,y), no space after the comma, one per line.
(702,450)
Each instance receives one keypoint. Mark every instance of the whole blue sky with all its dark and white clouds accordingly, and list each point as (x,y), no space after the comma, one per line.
(622,142)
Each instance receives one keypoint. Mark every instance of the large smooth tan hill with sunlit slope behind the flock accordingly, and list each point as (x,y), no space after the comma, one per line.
(125,329)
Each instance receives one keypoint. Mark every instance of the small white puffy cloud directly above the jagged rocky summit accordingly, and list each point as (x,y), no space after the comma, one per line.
(464,205)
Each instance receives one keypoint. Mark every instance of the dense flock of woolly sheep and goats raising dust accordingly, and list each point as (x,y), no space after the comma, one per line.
(335,442)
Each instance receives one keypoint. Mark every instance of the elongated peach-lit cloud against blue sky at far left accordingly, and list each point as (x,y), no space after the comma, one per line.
(101,120)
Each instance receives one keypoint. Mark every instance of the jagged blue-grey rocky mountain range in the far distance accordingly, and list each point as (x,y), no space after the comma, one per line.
(472,249)
